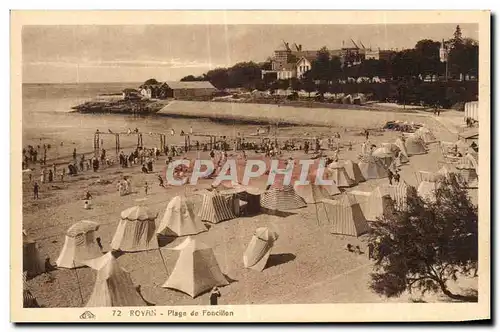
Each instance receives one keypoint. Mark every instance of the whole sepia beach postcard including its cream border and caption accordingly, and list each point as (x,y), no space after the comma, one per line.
(195,169)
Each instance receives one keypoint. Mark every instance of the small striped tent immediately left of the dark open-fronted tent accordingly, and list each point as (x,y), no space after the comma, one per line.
(216,207)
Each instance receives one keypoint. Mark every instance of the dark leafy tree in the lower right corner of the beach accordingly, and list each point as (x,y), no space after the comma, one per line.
(428,243)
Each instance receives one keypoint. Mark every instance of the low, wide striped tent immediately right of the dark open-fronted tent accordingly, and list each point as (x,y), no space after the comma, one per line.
(282,199)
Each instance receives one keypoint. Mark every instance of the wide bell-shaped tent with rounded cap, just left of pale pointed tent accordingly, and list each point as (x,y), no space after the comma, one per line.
(136,230)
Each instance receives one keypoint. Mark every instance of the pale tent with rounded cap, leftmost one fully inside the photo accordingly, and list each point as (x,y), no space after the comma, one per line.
(80,245)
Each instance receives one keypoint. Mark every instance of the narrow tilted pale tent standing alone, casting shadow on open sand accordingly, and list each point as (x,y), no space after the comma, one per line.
(259,249)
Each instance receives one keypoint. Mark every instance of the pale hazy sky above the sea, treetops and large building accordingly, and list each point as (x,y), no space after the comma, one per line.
(135,53)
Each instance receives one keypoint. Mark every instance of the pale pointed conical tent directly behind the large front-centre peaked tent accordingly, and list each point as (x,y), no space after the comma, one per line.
(179,219)
